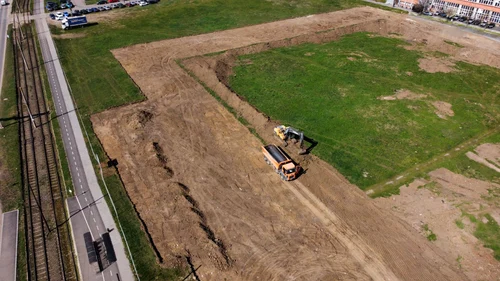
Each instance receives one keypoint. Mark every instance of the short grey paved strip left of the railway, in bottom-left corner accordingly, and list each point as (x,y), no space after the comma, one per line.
(8,245)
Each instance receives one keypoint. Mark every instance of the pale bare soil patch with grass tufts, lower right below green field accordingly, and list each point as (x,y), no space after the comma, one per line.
(438,203)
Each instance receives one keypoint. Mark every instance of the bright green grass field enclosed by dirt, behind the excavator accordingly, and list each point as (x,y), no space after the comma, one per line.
(319,89)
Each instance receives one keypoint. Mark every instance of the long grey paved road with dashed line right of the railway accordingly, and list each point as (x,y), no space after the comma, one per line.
(96,216)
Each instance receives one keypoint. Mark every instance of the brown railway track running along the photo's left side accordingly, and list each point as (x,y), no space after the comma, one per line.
(49,255)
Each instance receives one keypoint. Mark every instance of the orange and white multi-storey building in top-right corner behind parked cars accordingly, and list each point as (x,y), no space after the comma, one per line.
(486,10)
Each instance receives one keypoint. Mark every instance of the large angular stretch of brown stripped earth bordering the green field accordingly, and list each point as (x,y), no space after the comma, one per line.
(198,179)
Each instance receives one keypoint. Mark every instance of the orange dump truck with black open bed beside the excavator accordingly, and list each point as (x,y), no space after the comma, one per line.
(283,165)
